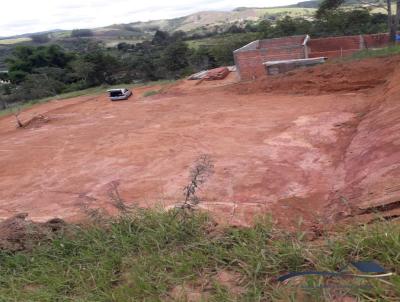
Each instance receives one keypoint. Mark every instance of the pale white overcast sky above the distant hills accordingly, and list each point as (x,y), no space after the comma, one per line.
(28,16)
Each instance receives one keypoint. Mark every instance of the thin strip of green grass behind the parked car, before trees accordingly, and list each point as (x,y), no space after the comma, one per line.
(90,91)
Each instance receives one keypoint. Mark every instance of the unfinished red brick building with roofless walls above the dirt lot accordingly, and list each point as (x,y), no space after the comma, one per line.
(249,59)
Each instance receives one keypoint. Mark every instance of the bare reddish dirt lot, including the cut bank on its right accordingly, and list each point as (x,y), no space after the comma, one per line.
(317,156)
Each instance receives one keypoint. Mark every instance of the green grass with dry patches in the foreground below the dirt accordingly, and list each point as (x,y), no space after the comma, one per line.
(144,256)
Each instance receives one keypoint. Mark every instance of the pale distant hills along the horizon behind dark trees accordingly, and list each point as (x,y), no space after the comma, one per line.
(199,23)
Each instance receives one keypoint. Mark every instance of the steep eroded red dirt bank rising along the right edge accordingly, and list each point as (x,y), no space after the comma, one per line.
(372,160)
